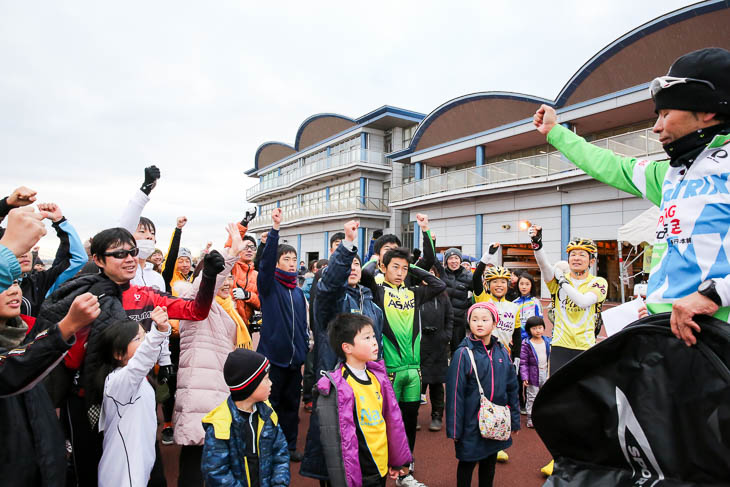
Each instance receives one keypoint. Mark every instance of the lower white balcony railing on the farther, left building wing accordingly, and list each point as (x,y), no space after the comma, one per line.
(324,209)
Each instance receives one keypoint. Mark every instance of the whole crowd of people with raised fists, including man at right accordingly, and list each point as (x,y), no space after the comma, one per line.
(115,326)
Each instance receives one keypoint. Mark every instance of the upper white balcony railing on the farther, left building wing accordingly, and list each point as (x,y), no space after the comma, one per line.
(321,166)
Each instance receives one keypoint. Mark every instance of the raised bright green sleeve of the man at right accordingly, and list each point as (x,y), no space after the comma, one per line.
(638,177)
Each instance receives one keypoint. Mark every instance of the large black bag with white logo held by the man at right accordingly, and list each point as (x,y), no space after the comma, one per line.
(641,409)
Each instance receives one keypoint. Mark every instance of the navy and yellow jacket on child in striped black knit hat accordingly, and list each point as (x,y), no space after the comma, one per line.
(223,462)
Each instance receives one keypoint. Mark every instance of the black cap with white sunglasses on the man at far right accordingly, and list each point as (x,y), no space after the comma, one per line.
(705,65)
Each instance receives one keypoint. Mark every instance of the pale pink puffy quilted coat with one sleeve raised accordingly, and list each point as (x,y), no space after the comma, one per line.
(204,346)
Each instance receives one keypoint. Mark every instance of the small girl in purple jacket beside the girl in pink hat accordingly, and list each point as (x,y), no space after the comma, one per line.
(534,361)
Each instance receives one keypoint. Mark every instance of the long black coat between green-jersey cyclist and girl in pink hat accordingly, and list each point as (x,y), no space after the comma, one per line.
(437,321)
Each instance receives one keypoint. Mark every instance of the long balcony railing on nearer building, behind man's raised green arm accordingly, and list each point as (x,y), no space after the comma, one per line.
(633,144)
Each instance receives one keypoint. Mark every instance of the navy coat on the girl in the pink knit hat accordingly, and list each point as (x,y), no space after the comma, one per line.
(463,399)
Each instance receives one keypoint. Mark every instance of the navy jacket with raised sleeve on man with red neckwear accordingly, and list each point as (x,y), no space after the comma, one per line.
(284,338)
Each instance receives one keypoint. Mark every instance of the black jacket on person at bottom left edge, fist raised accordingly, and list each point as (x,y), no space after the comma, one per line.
(33,451)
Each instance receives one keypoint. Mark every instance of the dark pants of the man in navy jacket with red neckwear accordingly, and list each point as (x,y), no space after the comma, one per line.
(286,390)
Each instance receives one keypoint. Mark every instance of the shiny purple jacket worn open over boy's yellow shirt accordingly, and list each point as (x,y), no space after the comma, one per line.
(336,406)
